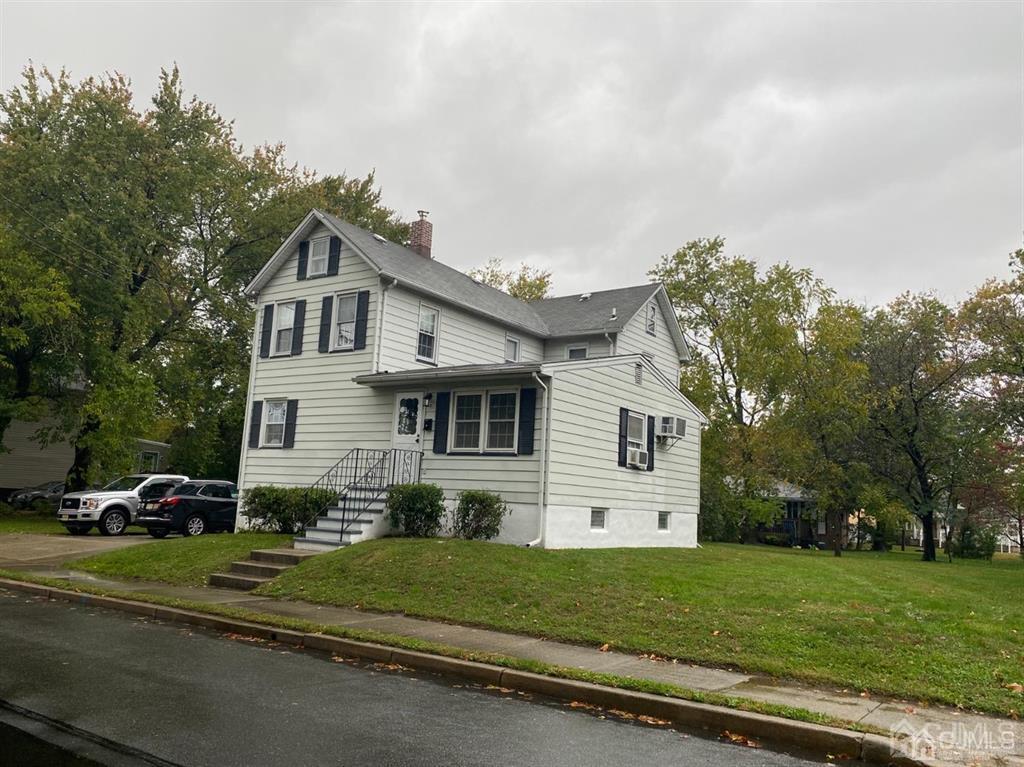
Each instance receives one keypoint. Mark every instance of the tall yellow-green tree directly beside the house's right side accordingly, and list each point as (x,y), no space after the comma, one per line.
(743,325)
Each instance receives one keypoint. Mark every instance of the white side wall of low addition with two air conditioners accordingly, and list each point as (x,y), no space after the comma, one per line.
(584,473)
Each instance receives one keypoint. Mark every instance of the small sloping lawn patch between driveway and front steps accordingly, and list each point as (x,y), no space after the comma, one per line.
(187,562)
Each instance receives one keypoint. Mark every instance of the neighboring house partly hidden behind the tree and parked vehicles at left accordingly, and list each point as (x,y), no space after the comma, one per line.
(28,462)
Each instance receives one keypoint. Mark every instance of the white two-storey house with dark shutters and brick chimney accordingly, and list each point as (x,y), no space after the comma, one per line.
(374,364)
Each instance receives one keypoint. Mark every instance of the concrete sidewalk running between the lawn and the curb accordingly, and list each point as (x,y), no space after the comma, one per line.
(1002,741)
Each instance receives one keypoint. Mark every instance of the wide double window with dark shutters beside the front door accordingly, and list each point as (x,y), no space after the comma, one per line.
(485,421)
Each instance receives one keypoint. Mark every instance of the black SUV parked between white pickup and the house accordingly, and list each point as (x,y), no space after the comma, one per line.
(193,508)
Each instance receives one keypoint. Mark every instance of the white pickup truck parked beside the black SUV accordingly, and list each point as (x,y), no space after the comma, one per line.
(115,507)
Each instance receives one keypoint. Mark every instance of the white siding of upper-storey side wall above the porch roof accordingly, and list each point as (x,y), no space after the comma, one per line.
(464,338)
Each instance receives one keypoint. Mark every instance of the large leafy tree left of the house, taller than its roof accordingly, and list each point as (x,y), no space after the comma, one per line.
(157,220)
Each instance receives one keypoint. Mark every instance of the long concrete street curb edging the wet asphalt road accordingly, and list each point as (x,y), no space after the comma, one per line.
(716,719)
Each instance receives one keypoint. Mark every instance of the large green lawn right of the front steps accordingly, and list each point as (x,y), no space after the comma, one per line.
(883,623)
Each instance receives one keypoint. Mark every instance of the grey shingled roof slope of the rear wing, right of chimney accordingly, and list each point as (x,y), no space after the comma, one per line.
(568,316)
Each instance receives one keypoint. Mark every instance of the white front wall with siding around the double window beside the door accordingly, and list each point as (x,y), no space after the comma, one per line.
(516,479)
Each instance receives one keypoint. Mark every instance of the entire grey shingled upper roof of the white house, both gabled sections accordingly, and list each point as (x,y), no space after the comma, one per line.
(562,317)
